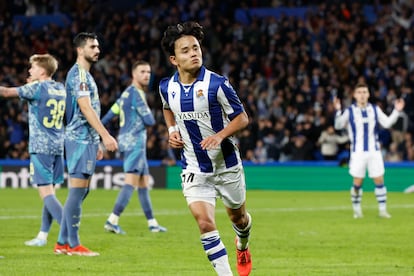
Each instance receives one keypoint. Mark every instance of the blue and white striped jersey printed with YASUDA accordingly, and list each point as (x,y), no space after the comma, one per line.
(201,110)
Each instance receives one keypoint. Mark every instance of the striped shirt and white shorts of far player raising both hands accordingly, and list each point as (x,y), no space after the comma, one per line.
(362,125)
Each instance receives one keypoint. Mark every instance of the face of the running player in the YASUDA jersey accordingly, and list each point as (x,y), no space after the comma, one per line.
(188,56)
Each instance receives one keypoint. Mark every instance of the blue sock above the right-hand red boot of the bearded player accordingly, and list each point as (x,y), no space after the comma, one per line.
(72,214)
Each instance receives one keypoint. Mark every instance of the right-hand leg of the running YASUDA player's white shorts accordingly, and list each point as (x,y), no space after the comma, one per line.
(231,187)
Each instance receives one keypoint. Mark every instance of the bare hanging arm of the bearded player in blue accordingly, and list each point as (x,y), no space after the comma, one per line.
(86,108)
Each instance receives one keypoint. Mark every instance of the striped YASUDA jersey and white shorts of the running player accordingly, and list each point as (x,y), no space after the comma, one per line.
(202,109)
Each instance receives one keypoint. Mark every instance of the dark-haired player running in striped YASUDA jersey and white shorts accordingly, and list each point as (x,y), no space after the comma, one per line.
(203,112)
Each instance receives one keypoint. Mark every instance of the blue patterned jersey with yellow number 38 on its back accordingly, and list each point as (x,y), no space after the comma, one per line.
(46,101)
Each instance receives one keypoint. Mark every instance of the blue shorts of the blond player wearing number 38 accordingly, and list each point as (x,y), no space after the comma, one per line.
(46,169)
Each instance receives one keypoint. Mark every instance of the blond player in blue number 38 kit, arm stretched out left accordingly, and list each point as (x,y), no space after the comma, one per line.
(46,99)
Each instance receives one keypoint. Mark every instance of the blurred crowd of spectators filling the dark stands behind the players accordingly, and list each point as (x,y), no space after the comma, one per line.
(286,69)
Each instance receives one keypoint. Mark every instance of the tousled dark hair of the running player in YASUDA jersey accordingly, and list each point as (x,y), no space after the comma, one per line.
(174,32)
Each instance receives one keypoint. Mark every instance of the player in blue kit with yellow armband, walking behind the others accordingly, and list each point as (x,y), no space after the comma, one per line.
(134,116)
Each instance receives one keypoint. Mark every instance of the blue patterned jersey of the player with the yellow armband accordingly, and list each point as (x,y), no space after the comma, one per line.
(134,116)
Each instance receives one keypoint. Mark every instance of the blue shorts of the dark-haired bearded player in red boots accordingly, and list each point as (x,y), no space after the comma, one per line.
(80,159)
